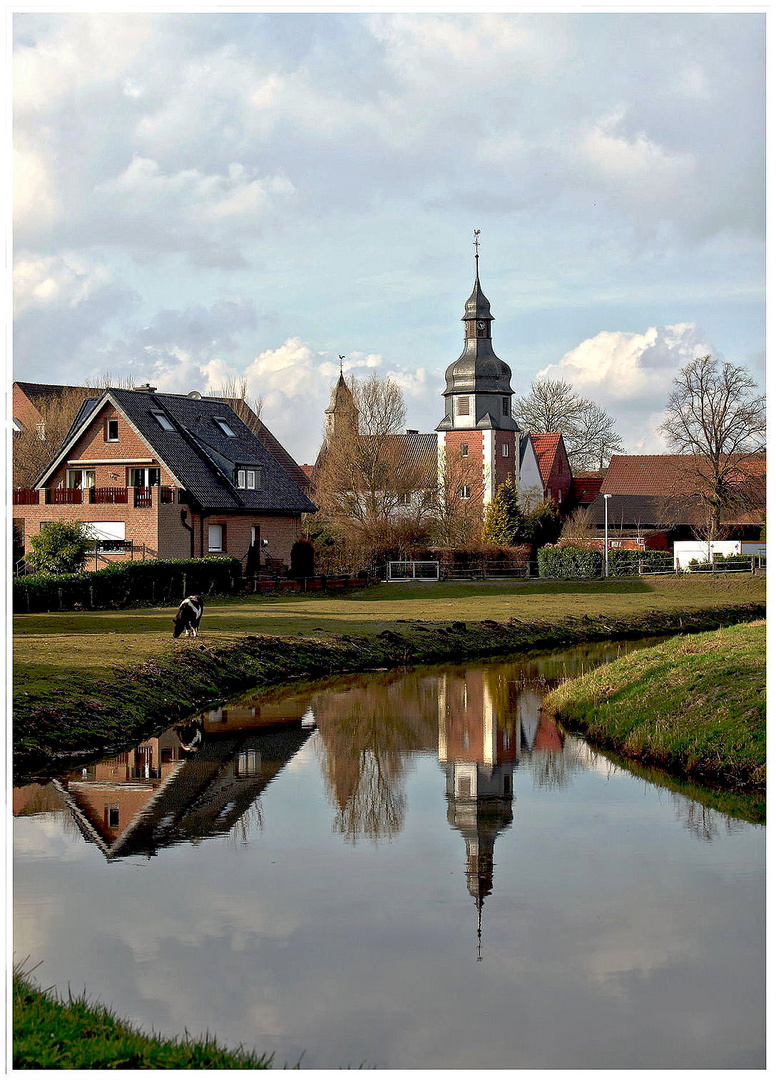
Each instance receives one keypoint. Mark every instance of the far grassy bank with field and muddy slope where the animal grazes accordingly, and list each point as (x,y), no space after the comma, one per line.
(97,681)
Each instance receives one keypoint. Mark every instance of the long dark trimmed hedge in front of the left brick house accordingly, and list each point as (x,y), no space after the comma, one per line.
(121,585)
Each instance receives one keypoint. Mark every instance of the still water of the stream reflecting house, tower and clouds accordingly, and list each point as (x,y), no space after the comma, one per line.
(410,870)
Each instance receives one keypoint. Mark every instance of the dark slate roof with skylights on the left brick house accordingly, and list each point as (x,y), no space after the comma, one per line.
(199,454)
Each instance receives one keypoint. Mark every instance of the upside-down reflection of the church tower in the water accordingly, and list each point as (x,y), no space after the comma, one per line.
(479,749)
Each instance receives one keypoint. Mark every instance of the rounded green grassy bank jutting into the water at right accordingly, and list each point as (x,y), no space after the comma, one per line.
(693,706)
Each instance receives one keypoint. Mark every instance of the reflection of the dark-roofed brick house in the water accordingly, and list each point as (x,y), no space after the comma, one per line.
(157,796)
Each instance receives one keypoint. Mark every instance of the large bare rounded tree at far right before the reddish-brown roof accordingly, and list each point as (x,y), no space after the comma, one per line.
(717,420)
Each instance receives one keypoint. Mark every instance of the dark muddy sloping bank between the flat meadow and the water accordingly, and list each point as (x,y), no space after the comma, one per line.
(98,718)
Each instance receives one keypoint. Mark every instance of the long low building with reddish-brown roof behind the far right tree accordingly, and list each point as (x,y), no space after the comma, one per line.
(651,497)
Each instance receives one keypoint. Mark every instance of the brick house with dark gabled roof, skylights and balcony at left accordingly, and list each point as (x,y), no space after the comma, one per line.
(169,477)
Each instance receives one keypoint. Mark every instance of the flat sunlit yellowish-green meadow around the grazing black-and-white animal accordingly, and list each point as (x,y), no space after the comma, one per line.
(47,645)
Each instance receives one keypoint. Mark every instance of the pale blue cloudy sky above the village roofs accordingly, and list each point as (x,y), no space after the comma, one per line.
(201,197)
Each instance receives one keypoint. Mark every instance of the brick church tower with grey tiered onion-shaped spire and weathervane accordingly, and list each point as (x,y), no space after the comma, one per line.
(478,423)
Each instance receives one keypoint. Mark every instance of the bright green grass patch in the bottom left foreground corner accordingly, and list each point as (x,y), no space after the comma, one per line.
(56,1033)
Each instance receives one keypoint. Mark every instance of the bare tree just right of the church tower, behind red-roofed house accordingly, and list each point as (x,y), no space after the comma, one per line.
(553,406)
